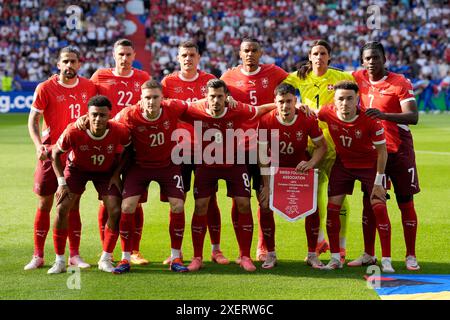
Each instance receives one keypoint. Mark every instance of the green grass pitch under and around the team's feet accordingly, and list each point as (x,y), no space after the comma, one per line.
(292,279)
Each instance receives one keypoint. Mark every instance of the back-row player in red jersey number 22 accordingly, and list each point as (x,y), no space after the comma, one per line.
(122,85)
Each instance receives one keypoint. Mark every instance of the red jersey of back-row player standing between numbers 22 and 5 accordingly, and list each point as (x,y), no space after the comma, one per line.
(175,86)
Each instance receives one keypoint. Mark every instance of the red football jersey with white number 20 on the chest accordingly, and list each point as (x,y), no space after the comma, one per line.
(152,139)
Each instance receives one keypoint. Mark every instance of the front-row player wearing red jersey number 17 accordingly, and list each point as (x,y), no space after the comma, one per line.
(361,155)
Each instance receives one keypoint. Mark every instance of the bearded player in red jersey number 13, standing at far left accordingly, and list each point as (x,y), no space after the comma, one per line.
(60,100)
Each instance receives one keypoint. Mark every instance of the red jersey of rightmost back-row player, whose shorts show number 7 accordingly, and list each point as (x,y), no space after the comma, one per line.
(386,95)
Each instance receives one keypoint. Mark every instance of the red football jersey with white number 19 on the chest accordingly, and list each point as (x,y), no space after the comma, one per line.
(90,153)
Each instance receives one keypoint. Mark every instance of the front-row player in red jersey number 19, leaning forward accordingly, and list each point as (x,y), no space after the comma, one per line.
(92,157)
